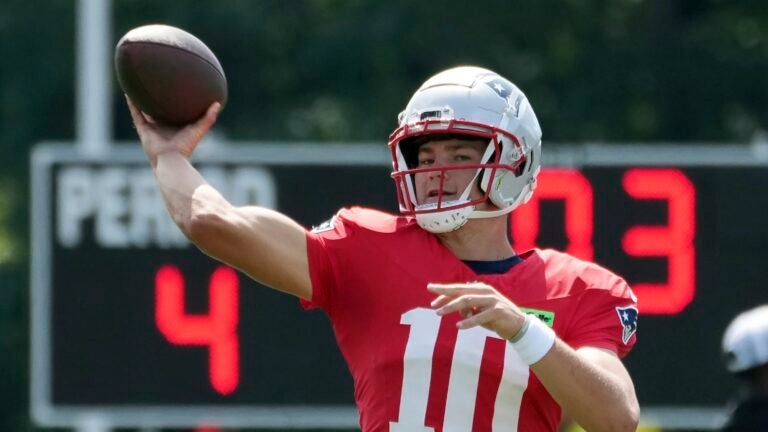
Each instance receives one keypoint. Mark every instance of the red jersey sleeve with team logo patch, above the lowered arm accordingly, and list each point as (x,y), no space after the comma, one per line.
(605,315)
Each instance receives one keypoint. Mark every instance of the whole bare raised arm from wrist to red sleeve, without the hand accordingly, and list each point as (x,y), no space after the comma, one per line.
(276,245)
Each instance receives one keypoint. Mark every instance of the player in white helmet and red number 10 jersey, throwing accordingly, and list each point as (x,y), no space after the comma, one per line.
(443,325)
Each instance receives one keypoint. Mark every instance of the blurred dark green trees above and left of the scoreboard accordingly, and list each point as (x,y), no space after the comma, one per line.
(320,70)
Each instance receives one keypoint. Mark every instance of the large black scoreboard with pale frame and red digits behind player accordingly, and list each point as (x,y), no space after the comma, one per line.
(133,324)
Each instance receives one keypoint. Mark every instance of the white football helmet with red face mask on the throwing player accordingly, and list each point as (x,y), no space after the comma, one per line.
(475,102)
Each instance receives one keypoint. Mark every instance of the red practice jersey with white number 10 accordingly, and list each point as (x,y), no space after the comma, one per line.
(414,370)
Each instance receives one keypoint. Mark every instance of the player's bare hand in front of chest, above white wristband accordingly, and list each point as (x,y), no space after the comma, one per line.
(480,305)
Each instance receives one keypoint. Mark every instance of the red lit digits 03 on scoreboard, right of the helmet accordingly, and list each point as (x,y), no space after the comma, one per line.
(673,241)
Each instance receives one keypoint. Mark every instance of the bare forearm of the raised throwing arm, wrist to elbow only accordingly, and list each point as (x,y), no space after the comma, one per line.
(184,190)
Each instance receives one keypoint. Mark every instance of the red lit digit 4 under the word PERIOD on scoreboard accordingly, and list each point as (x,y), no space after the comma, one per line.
(216,330)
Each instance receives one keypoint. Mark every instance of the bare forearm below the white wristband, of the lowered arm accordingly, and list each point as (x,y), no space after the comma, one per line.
(594,397)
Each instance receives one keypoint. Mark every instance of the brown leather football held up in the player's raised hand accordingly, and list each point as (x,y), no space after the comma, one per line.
(169,73)
